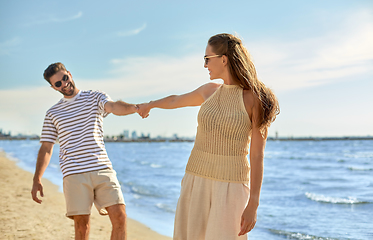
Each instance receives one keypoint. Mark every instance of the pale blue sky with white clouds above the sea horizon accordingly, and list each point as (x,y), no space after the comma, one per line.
(317,56)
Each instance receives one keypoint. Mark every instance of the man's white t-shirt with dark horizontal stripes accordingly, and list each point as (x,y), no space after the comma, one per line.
(78,125)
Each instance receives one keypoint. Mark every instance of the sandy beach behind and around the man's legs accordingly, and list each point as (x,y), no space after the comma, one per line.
(22,218)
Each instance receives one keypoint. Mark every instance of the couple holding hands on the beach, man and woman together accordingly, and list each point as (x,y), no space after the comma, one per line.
(220,189)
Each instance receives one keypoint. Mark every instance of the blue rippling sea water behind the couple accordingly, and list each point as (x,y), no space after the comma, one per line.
(311,189)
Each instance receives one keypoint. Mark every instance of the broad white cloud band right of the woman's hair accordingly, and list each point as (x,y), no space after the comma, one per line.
(345,52)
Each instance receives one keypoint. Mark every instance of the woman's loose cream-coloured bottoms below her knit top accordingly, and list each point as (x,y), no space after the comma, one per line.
(209,209)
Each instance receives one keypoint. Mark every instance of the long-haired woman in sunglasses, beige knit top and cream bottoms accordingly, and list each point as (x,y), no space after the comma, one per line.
(220,190)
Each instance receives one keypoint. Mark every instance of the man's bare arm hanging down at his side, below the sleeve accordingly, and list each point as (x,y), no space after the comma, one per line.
(44,157)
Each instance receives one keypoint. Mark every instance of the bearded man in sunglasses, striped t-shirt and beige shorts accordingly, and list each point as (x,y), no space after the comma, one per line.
(88,177)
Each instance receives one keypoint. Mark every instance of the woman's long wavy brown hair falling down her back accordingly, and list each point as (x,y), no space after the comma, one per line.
(243,71)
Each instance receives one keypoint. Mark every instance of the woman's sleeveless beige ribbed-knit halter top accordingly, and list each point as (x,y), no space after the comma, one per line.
(223,135)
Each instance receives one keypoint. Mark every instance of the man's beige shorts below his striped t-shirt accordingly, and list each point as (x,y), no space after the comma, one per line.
(99,187)
